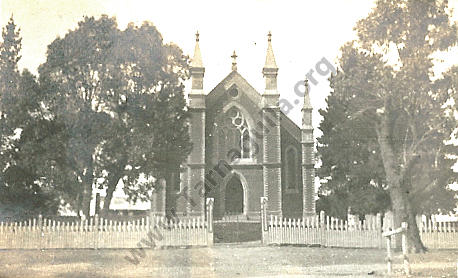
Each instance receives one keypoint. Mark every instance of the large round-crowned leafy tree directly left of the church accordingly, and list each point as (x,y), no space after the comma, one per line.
(120,97)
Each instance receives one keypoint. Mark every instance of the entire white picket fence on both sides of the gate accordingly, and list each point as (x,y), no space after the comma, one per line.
(320,230)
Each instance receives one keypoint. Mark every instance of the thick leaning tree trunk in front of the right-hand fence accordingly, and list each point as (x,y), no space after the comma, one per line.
(400,202)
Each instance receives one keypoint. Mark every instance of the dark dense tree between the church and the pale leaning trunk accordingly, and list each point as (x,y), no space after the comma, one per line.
(352,179)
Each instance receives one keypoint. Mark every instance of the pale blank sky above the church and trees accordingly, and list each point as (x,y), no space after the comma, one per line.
(303,33)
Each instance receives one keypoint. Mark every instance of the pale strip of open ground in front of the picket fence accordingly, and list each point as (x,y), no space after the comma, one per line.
(225,260)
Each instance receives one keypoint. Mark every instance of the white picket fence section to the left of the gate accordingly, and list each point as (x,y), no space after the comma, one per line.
(99,233)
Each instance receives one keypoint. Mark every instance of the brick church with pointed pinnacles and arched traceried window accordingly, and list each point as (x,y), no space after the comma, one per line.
(244,148)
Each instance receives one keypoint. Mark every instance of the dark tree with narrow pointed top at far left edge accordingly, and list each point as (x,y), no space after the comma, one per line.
(23,191)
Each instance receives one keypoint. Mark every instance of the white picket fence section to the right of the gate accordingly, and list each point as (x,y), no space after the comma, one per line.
(331,232)
